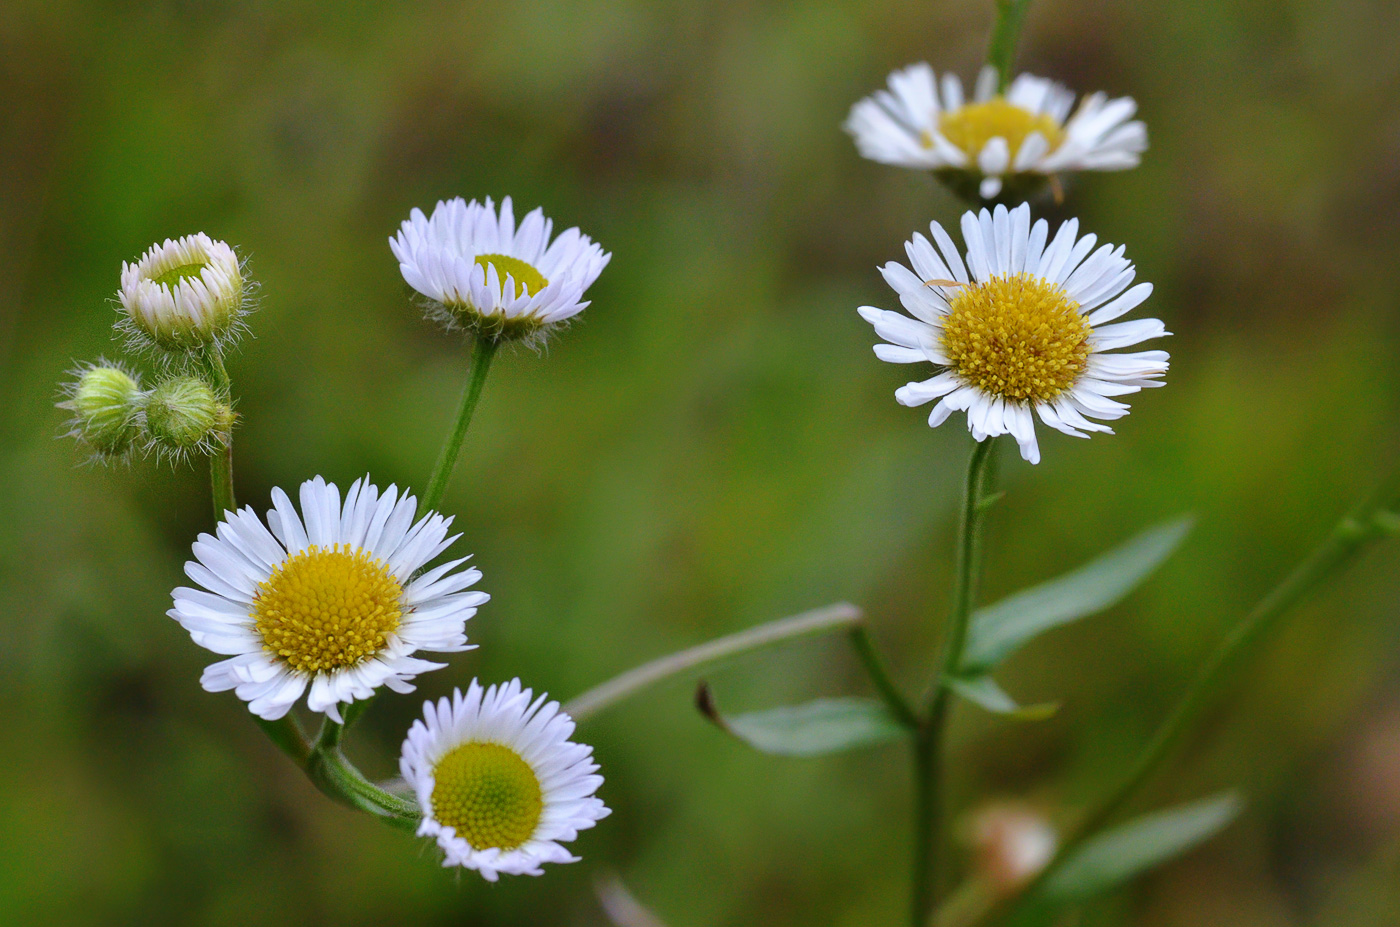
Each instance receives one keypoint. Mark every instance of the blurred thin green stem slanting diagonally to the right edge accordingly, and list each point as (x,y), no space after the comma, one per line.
(1349,540)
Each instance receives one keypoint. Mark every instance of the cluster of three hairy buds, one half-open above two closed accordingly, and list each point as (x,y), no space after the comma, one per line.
(184,300)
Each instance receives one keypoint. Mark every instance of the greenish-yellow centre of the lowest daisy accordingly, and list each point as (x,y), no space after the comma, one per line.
(489,795)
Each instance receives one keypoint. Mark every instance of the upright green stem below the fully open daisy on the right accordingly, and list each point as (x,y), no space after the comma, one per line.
(929,743)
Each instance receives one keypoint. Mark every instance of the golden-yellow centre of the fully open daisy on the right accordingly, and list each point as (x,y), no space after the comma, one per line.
(1020,338)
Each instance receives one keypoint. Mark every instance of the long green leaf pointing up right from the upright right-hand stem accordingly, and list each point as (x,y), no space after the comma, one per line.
(999,631)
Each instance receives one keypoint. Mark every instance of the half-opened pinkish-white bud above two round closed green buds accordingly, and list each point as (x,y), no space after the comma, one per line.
(184,295)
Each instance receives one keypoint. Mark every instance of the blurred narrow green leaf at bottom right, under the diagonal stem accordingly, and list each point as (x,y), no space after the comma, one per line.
(1116,856)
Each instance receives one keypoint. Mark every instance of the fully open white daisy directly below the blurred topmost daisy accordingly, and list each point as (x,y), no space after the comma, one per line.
(1023,327)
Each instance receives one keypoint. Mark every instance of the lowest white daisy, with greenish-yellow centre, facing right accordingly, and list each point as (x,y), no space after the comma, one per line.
(499,782)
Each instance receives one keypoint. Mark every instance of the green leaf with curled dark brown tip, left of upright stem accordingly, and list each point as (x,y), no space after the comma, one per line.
(825,726)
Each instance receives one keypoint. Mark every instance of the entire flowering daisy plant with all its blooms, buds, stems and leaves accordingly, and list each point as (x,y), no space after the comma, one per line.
(318,604)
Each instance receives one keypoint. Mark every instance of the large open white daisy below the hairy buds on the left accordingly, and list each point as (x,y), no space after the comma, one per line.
(327,600)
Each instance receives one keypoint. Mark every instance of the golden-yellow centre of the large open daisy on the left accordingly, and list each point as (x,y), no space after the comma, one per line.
(327,608)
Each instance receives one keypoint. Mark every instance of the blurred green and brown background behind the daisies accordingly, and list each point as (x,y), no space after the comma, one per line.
(710,447)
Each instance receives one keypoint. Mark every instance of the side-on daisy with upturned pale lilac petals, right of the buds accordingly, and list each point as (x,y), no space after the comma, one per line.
(484,274)
